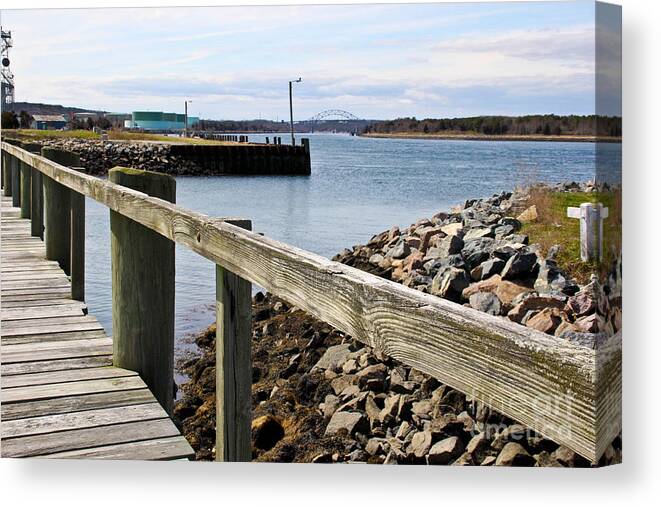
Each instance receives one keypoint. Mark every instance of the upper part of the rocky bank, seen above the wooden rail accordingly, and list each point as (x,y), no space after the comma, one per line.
(476,255)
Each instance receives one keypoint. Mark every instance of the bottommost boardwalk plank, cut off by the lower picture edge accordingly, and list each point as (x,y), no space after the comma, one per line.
(171,448)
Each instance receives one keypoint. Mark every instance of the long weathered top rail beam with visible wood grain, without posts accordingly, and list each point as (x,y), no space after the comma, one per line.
(541,381)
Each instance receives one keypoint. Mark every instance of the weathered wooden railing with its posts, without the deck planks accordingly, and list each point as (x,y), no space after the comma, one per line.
(567,392)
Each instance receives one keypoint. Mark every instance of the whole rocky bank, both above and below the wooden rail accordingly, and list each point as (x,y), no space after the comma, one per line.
(320,396)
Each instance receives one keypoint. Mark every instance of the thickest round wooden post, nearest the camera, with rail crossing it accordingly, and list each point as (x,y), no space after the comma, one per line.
(143,289)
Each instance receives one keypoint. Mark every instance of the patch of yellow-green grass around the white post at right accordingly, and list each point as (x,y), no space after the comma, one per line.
(553,227)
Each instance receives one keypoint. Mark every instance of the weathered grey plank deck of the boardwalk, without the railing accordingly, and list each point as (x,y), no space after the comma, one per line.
(61,396)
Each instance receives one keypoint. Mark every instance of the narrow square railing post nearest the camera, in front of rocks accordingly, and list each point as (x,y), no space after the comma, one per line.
(233,364)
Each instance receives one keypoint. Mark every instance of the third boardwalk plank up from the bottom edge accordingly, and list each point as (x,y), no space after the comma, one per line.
(81,420)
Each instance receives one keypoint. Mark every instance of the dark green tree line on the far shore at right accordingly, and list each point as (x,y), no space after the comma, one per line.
(549,125)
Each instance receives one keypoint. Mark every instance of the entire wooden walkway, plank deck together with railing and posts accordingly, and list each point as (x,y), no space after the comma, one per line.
(70,390)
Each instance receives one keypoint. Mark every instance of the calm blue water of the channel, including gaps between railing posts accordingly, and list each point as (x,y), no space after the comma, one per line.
(358,187)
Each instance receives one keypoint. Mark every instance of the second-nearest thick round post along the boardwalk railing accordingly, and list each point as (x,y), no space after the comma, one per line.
(57,210)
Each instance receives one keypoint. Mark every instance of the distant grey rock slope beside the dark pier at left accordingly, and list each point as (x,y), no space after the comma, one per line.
(97,157)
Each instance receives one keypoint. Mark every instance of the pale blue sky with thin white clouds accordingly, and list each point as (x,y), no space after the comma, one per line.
(375,61)
